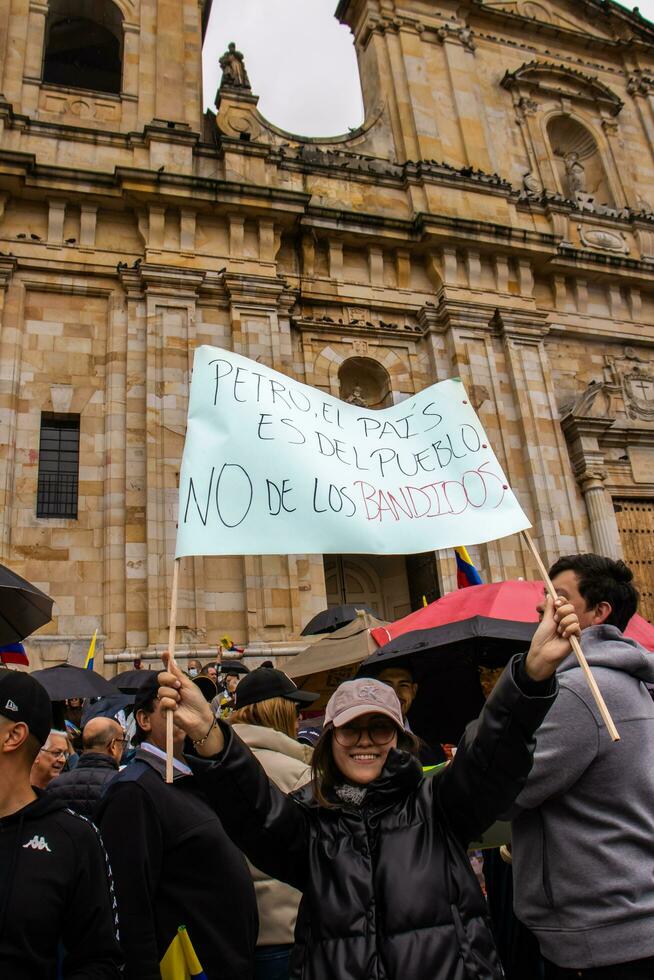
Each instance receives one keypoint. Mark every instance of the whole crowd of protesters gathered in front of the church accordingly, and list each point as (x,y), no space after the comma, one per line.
(347,859)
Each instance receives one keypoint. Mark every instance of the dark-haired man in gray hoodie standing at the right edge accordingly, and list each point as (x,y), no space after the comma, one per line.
(583,827)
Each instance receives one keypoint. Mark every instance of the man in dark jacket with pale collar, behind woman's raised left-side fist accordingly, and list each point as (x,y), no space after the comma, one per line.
(171,860)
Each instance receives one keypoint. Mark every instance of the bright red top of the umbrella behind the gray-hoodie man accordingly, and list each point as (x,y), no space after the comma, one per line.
(510,602)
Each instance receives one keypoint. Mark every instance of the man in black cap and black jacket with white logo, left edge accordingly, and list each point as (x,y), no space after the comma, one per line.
(56,898)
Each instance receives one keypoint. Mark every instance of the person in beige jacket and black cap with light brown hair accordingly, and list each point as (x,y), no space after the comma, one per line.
(265,717)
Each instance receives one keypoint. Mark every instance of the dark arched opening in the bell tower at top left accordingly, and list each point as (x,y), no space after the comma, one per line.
(84,45)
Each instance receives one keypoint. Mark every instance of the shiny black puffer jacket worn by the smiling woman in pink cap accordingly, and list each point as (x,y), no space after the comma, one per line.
(388,892)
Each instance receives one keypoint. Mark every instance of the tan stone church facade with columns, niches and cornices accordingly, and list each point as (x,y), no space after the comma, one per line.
(493,219)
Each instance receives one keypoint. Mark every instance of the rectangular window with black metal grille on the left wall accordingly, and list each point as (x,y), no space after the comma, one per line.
(58,466)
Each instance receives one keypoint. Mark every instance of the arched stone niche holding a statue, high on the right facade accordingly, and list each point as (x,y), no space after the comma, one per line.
(578,161)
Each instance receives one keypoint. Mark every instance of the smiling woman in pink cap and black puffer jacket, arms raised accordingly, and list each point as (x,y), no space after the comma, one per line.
(377,849)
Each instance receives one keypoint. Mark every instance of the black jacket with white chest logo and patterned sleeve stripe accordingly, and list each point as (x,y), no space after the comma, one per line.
(56,902)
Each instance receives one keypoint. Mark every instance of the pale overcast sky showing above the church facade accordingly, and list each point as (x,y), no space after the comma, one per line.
(300,61)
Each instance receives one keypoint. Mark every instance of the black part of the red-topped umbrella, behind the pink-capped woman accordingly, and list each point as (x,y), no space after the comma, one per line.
(445,664)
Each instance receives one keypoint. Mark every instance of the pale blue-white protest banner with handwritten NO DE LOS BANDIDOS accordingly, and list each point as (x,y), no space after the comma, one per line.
(273,466)
